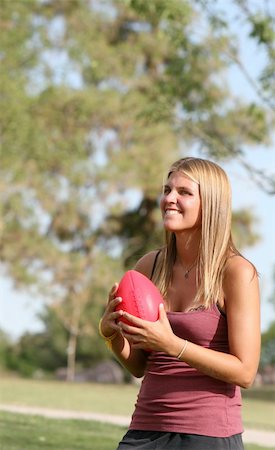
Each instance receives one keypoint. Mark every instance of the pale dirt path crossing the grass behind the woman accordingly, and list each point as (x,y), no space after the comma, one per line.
(266,438)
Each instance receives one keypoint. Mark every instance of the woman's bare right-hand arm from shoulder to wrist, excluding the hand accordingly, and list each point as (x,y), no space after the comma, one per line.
(242,305)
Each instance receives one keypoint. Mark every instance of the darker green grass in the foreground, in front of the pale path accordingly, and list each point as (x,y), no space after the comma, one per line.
(20,432)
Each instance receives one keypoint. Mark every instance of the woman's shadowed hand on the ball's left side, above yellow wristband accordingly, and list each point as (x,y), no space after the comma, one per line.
(109,319)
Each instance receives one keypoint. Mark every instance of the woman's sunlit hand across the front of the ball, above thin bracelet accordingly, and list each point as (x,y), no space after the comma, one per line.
(143,334)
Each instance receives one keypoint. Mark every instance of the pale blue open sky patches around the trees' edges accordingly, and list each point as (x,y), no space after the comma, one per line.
(18,311)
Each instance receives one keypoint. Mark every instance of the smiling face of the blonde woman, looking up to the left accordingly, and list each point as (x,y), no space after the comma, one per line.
(180,203)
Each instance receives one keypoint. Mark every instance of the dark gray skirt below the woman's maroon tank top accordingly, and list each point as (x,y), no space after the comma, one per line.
(162,440)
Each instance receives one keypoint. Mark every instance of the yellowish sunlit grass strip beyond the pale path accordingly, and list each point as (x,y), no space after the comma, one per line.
(110,399)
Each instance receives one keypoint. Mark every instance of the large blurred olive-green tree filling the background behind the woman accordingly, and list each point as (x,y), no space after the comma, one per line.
(98,98)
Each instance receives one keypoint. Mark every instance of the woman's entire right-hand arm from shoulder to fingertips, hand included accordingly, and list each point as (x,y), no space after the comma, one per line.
(243,317)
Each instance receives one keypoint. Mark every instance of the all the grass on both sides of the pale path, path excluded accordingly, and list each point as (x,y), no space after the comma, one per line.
(20,432)
